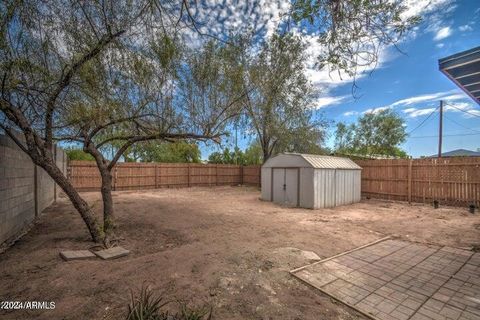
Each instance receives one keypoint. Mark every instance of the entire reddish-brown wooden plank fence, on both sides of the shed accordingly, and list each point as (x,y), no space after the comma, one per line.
(451,181)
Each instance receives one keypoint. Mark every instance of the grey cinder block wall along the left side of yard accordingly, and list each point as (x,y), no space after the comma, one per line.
(25,189)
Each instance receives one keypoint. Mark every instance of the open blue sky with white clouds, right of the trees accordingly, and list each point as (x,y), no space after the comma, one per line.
(411,83)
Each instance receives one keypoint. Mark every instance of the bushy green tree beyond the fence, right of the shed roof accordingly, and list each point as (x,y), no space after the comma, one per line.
(375,133)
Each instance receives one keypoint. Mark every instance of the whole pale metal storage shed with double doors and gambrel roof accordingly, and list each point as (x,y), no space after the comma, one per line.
(310,181)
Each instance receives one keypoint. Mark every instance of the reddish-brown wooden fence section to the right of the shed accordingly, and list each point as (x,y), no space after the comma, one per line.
(450,181)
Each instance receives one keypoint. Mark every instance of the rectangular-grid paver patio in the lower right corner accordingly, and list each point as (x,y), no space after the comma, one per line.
(399,280)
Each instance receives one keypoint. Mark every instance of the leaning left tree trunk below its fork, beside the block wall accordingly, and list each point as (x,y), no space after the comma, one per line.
(81,205)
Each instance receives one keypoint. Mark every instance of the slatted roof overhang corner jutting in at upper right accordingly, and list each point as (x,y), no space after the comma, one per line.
(464,69)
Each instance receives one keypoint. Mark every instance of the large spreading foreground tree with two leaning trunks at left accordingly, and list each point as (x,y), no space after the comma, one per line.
(107,73)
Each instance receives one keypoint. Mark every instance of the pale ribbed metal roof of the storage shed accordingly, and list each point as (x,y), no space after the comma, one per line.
(300,160)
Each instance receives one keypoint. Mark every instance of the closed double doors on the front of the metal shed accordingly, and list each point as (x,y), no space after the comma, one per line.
(285,186)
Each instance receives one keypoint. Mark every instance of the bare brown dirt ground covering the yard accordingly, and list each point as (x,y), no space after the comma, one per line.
(221,246)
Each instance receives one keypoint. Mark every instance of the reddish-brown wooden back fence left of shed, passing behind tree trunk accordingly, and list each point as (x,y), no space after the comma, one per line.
(133,175)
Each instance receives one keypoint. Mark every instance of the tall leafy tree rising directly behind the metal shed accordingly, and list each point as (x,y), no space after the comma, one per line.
(280,103)
